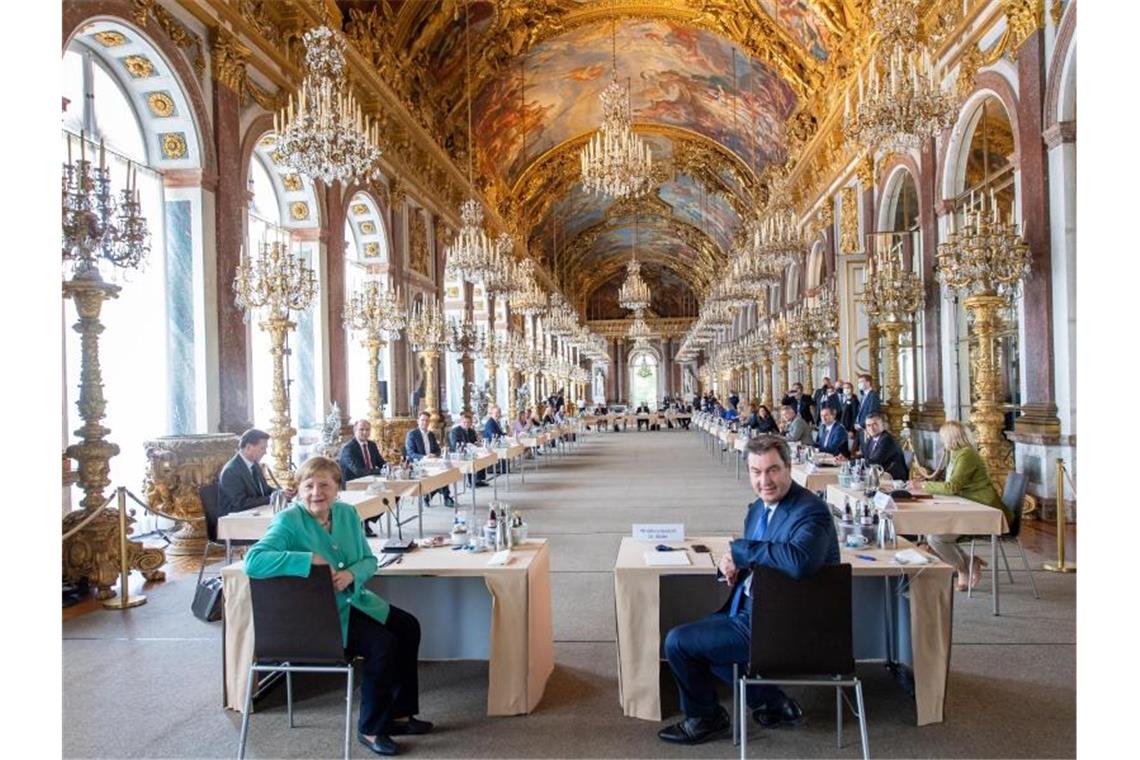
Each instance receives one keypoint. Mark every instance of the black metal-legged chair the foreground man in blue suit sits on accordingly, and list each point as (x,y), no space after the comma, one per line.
(802,636)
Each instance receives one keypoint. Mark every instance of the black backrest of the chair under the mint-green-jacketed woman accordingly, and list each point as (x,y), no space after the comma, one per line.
(295,619)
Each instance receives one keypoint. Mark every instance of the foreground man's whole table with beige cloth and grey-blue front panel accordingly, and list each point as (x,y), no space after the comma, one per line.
(913,628)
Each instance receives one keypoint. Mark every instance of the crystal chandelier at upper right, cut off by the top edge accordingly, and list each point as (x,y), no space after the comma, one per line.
(906,104)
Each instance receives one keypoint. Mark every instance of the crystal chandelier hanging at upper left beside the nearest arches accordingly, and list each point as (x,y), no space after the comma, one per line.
(328,136)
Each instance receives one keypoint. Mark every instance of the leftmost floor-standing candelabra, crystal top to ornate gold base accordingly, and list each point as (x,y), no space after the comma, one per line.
(97,226)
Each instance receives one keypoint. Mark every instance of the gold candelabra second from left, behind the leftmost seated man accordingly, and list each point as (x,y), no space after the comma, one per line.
(276,284)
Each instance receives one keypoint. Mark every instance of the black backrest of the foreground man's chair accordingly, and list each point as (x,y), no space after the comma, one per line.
(802,627)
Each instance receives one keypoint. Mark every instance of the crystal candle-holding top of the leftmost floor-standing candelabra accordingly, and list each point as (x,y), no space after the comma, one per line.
(92,228)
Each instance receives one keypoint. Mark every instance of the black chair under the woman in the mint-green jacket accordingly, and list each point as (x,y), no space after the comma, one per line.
(297,630)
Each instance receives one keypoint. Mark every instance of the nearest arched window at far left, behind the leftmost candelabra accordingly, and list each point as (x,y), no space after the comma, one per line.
(120,93)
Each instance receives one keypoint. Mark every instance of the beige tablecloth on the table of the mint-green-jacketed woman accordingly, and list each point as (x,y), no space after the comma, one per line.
(522,634)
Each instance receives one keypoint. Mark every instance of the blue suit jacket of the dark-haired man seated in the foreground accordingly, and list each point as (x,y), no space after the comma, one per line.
(800,540)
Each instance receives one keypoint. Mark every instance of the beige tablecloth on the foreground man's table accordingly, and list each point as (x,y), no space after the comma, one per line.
(638,608)
